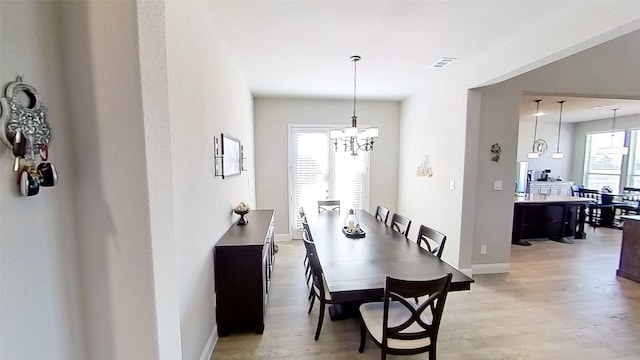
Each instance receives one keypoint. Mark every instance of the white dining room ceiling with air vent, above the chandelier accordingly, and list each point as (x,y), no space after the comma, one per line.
(302,48)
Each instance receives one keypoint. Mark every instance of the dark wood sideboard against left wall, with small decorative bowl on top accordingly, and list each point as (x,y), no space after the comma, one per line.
(243,264)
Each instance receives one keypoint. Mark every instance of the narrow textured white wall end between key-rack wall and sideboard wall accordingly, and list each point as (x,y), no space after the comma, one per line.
(155,104)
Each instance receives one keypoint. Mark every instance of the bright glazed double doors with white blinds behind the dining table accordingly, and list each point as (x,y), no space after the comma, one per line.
(319,172)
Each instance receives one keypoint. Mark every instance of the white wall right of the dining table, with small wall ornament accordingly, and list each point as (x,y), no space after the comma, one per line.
(428,128)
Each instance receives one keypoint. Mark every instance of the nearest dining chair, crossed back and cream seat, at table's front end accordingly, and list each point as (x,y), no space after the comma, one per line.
(399,327)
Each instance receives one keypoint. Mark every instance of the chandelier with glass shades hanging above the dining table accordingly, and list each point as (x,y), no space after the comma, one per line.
(353,138)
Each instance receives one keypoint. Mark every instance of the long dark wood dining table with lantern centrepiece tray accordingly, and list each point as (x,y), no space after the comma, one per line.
(355,269)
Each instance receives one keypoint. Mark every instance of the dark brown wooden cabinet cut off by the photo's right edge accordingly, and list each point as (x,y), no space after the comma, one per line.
(630,249)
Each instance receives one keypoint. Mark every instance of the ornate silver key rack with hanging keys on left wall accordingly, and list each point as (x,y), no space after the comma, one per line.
(25,130)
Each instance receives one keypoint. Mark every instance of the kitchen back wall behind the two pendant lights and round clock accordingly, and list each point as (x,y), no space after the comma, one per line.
(547,130)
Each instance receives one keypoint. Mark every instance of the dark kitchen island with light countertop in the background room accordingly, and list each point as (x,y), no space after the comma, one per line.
(556,217)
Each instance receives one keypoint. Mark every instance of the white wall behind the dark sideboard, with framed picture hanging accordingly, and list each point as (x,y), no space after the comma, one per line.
(207,96)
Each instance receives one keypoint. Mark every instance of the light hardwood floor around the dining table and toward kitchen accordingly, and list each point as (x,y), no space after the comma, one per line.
(558,302)
